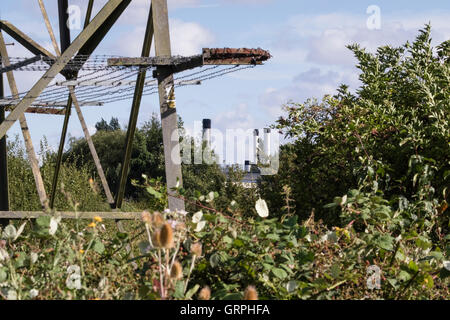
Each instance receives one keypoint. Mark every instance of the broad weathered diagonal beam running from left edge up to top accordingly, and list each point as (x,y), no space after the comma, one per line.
(85,37)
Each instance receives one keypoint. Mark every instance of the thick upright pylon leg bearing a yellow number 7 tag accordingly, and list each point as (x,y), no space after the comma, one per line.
(169,118)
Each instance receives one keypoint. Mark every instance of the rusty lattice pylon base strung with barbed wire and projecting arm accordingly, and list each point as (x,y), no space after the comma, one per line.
(75,55)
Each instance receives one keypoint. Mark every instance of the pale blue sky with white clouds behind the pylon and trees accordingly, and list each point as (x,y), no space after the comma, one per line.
(306,38)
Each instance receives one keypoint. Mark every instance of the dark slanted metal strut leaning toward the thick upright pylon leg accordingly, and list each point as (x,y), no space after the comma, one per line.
(134,113)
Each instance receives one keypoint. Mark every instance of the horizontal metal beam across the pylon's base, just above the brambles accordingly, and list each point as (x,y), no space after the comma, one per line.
(71,215)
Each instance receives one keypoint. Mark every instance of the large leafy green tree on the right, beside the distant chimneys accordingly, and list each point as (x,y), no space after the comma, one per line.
(390,136)
